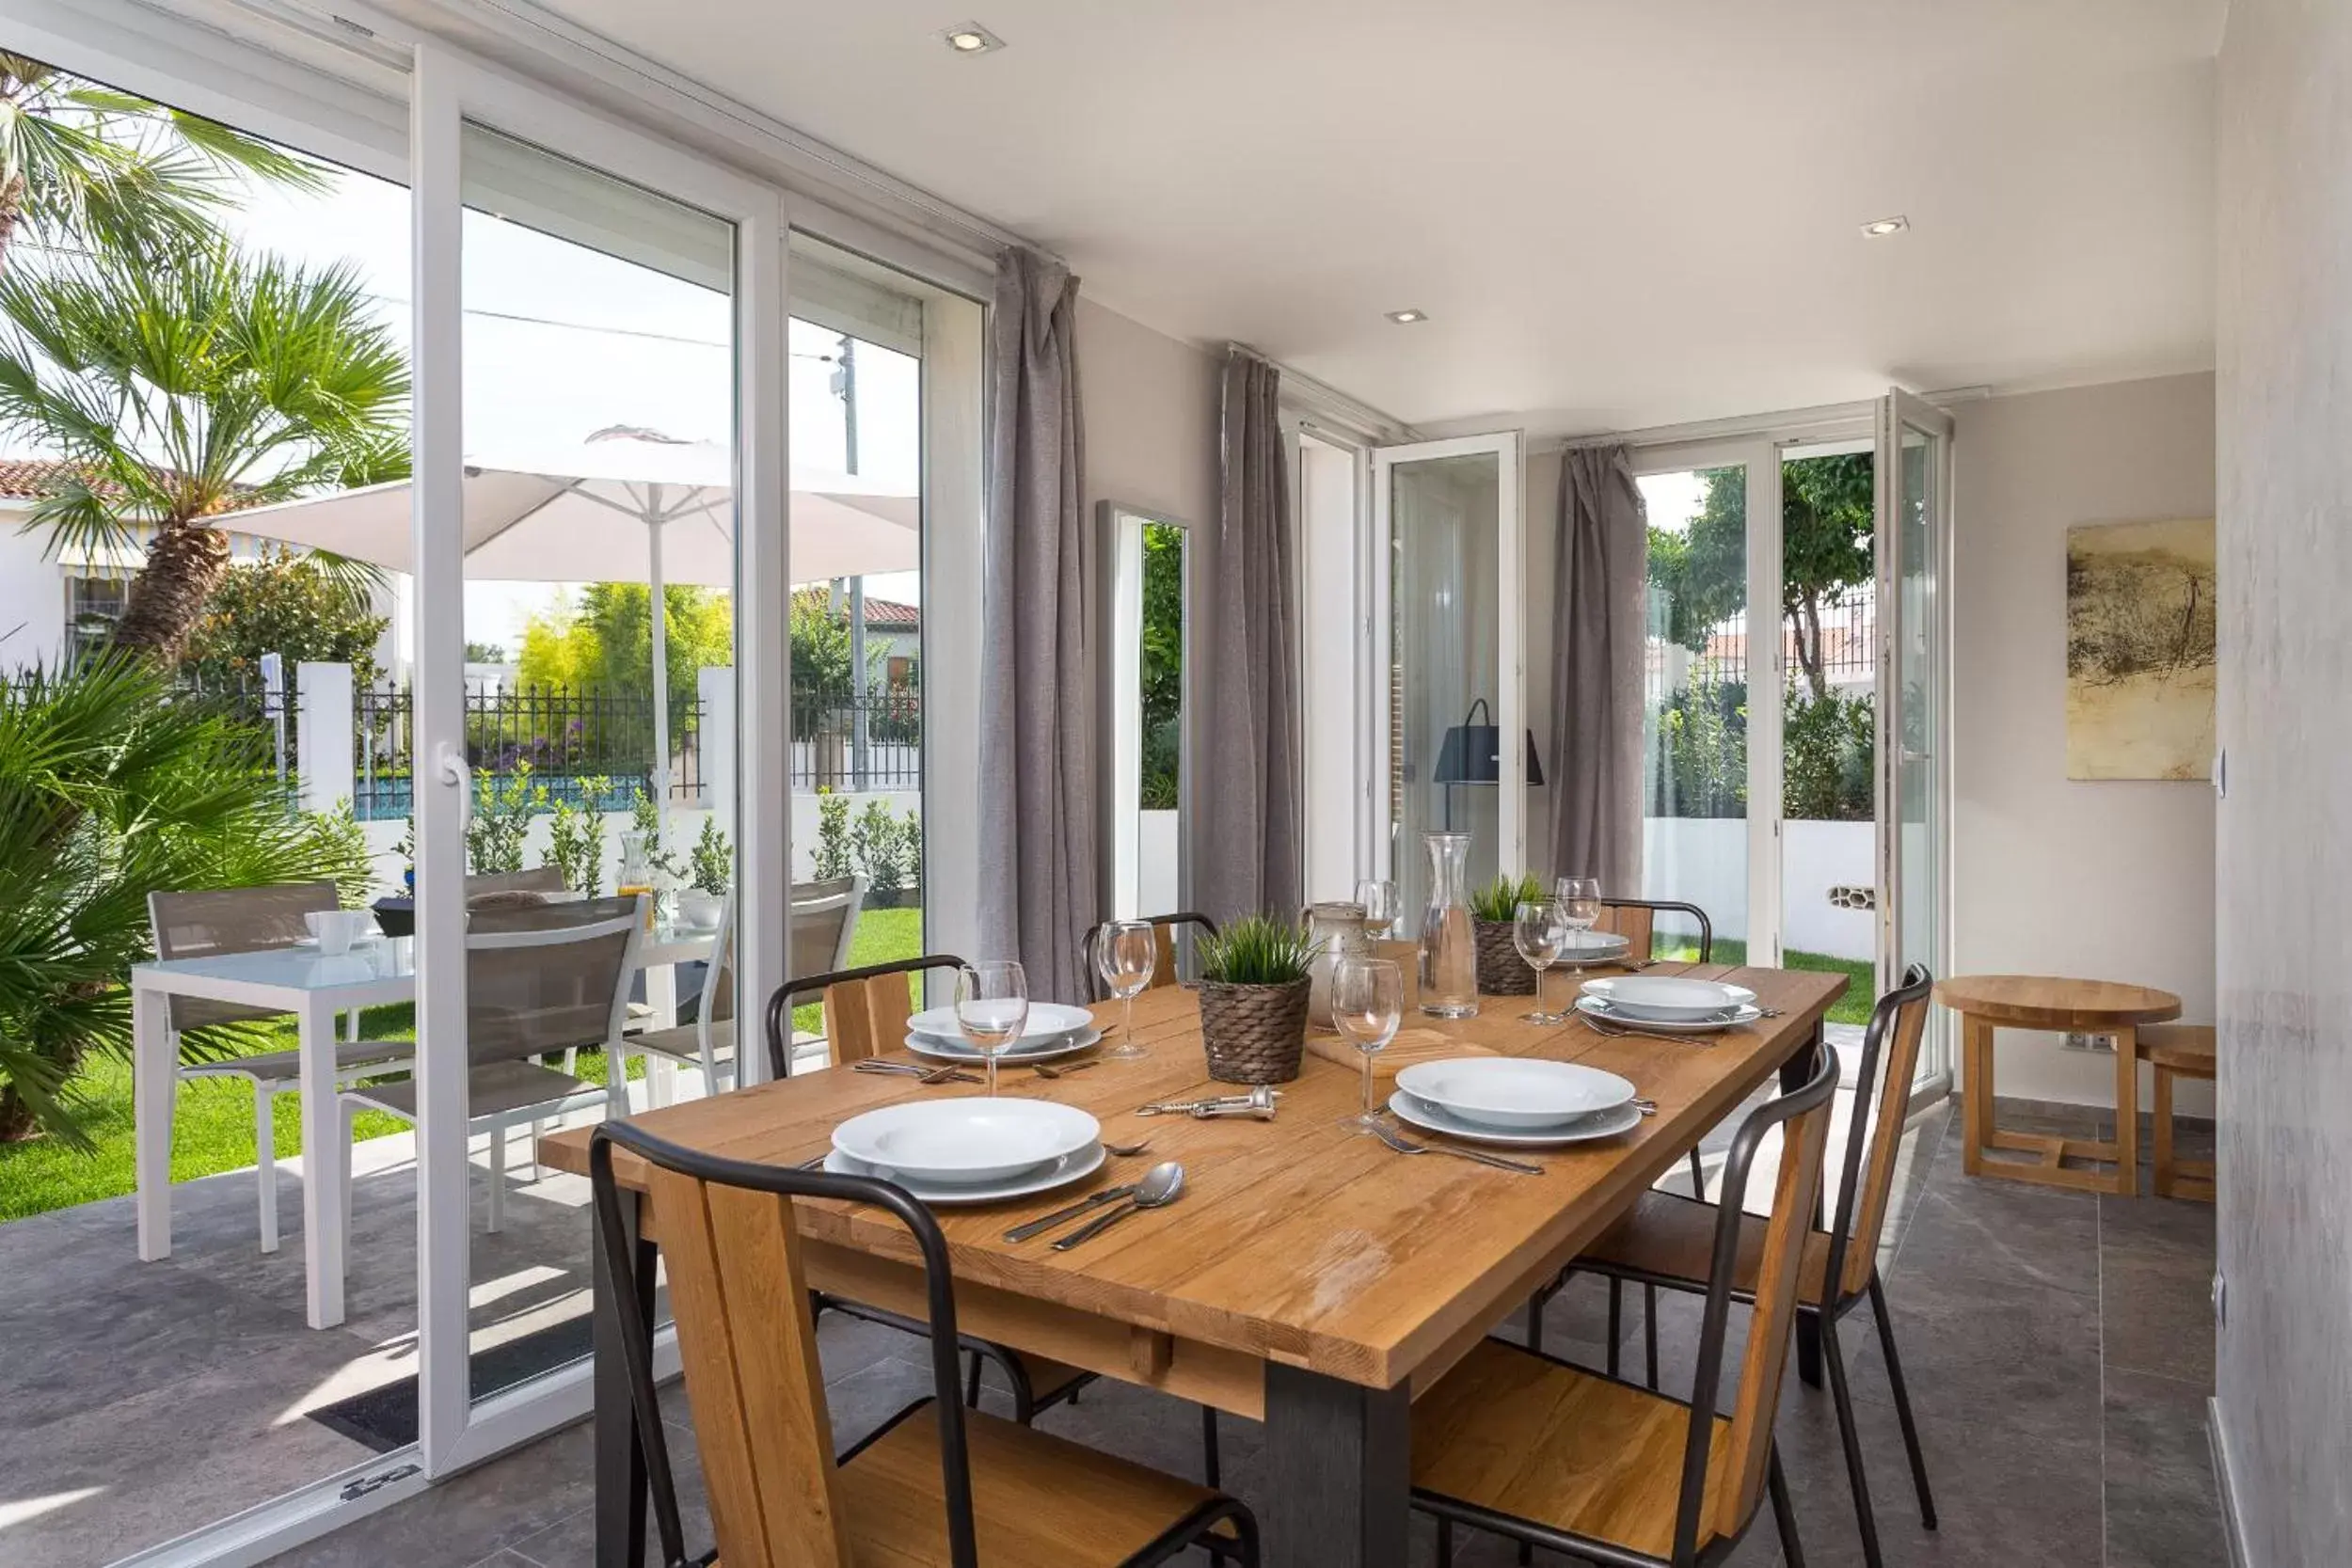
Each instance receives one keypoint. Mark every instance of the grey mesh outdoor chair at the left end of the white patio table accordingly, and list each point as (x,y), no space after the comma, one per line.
(255,920)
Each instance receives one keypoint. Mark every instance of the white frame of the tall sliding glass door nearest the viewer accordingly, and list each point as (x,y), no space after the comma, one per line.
(448,93)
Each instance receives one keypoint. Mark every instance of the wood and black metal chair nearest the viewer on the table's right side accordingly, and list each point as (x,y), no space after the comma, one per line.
(1608,1440)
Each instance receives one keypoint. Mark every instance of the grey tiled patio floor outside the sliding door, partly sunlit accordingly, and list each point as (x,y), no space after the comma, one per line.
(152,1398)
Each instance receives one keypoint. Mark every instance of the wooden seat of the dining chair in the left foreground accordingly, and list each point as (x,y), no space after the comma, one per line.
(1038,1501)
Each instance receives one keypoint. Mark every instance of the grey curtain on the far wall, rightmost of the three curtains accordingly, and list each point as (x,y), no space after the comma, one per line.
(1598,584)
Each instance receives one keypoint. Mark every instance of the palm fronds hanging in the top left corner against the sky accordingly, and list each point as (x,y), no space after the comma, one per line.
(91,168)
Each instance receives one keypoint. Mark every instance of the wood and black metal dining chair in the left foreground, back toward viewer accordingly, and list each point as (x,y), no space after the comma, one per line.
(756,1391)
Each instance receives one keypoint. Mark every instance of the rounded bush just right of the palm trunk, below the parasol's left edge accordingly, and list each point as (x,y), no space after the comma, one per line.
(288,605)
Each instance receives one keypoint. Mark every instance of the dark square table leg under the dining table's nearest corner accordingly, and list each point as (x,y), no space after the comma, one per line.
(1339,1473)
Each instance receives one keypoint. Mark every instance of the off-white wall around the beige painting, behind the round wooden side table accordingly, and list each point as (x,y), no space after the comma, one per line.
(2052,876)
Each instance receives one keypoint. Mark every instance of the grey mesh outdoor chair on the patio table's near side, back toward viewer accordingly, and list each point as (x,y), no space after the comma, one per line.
(537,981)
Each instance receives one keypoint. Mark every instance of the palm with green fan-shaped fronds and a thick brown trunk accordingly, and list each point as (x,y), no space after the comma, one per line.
(187,391)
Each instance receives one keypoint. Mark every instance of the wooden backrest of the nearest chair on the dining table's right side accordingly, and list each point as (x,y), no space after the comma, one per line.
(1803,1118)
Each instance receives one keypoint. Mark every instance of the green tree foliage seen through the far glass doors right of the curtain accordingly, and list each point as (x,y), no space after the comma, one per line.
(1826,551)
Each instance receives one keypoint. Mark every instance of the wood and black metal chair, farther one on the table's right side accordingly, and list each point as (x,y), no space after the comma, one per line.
(1657,1240)
